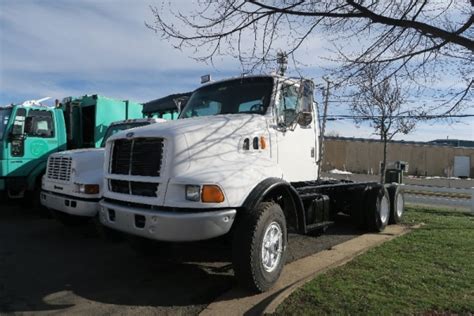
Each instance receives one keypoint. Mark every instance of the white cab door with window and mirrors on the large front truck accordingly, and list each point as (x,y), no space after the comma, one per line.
(296,135)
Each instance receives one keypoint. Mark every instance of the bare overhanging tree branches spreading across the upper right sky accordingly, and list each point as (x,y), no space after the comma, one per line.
(417,40)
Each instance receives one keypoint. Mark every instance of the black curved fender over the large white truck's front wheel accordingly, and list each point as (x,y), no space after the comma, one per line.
(266,187)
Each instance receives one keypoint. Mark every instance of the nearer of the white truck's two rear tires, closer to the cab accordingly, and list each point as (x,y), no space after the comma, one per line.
(378,209)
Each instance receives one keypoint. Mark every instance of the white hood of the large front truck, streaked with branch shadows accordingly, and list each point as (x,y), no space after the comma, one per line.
(206,143)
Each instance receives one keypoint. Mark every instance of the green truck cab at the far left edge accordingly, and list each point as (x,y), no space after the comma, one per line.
(28,134)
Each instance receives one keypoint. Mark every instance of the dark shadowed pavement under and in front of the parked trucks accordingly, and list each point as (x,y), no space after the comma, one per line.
(47,268)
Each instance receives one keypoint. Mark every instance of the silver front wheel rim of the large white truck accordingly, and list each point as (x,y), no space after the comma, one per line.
(272,245)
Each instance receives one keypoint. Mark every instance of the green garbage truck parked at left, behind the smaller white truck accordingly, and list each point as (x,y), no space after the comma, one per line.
(30,132)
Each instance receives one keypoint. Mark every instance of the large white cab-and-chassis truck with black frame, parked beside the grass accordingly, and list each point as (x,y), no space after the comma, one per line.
(244,162)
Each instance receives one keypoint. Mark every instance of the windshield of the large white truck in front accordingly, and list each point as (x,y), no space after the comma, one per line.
(245,95)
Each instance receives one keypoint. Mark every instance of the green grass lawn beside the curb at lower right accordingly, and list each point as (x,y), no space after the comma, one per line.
(428,271)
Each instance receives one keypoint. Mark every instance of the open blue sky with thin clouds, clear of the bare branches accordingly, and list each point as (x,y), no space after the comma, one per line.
(59,48)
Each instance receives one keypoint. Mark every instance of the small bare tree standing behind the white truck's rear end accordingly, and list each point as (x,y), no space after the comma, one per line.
(381,104)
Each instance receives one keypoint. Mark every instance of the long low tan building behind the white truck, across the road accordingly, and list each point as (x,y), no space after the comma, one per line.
(443,158)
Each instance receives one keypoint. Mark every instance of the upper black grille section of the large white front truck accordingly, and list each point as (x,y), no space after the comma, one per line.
(138,157)
